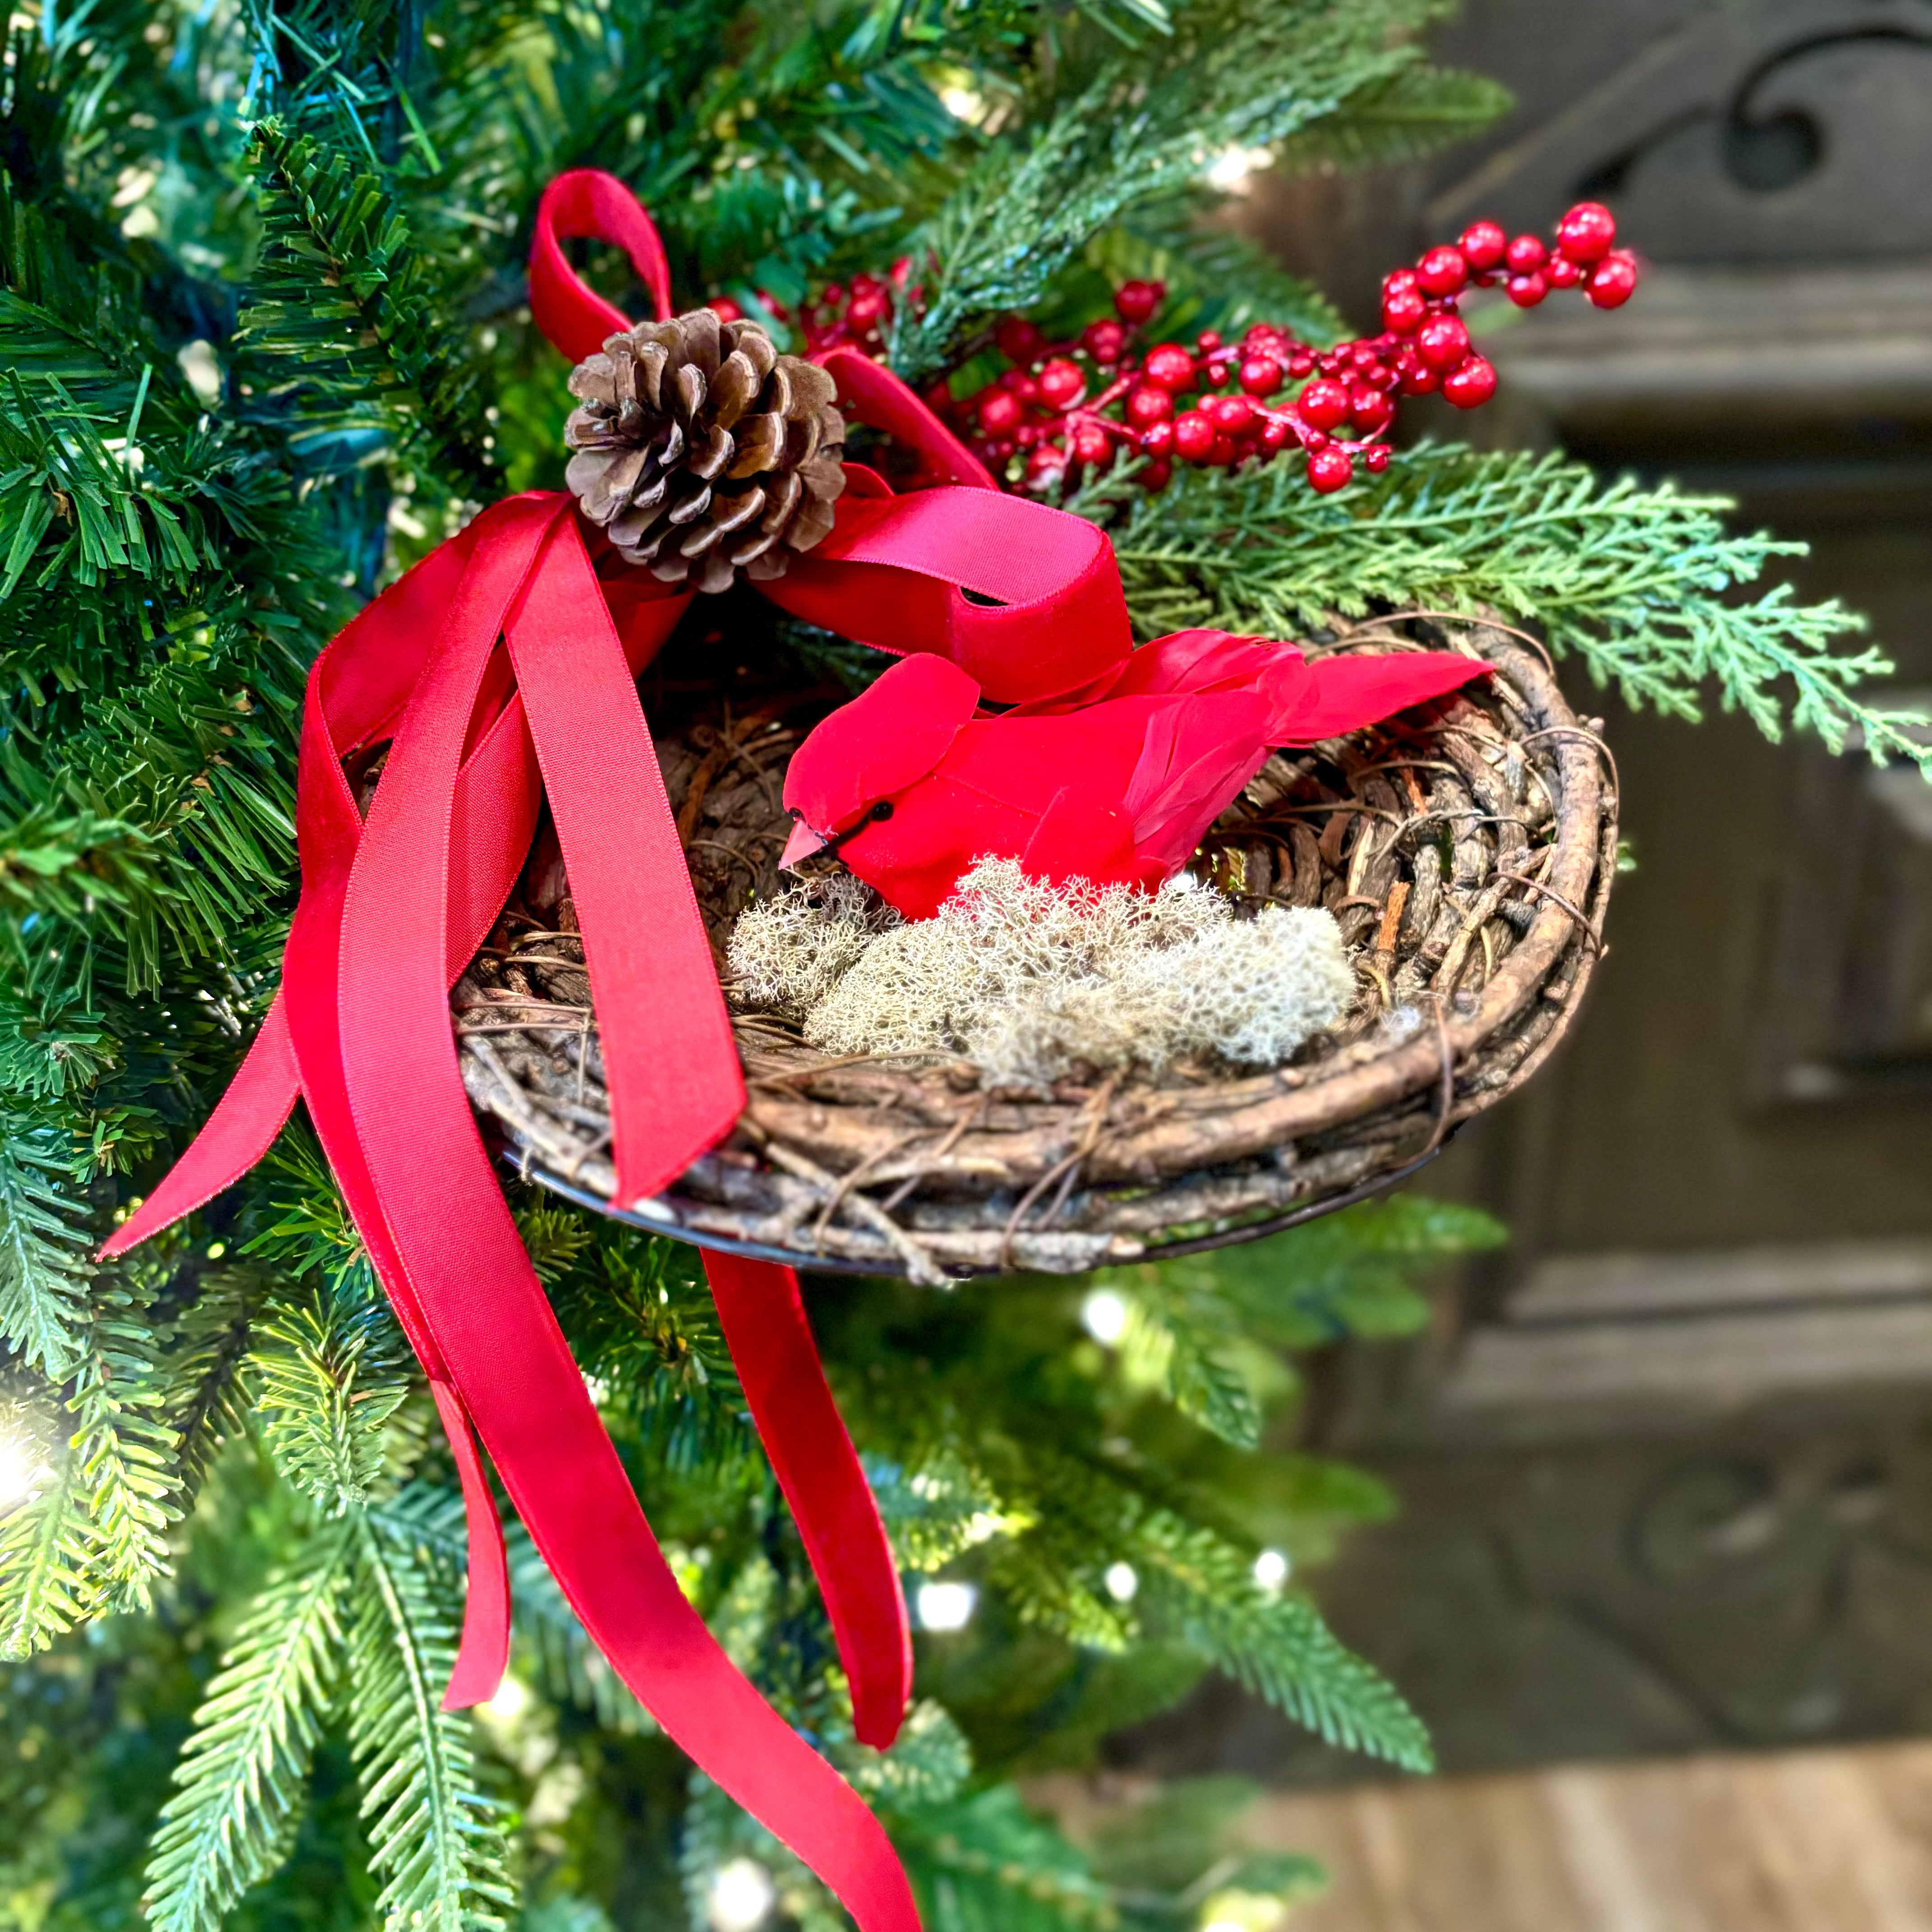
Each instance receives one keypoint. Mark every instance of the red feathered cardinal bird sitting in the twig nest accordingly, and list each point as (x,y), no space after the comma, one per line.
(1114,783)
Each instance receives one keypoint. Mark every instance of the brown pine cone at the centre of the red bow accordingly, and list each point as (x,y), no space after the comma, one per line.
(704,451)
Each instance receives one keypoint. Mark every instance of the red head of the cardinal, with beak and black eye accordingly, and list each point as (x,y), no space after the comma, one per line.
(859,760)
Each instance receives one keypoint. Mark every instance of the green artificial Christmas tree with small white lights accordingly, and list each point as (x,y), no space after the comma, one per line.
(268,343)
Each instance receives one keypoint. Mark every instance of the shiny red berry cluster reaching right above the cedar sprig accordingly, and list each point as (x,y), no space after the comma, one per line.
(1075,405)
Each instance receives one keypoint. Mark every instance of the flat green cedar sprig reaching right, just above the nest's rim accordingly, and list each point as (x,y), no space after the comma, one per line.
(1637,581)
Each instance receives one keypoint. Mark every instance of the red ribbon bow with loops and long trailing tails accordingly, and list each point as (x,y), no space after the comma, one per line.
(501,671)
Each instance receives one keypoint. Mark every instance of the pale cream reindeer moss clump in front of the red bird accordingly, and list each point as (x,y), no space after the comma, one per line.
(1035,980)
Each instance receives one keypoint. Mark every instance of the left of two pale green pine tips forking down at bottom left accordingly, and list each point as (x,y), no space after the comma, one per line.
(244,1771)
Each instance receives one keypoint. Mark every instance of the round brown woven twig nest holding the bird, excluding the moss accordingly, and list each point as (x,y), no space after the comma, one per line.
(1467,851)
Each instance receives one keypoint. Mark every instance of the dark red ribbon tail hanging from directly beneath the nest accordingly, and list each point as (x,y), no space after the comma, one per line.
(818,1469)
